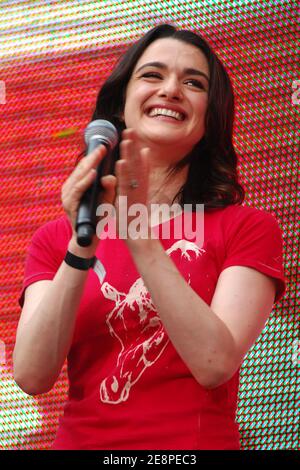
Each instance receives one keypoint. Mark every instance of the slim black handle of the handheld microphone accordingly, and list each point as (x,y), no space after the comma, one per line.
(86,216)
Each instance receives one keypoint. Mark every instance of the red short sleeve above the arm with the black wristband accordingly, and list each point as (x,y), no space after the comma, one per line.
(46,252)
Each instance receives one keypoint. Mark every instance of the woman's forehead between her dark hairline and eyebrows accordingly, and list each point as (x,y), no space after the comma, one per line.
(176,53)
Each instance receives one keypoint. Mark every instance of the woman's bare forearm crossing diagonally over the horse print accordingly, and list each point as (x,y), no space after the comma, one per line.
(200,337)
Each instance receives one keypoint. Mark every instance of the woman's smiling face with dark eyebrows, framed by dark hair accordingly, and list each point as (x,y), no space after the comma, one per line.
(166,97)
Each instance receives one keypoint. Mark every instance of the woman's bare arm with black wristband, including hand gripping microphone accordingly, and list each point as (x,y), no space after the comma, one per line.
(48,317)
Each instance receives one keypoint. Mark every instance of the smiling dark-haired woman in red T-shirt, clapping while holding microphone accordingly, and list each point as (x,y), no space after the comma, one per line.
(154,349)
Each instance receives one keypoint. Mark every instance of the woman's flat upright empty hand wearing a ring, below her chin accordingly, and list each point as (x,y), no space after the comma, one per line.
(132,172)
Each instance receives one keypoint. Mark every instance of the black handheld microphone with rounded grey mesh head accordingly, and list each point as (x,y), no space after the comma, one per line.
(97,132)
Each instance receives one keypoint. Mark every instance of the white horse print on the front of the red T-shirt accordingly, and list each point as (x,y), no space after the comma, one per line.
(134,322)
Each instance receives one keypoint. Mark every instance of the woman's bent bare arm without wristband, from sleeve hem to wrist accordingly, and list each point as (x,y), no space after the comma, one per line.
(211,340)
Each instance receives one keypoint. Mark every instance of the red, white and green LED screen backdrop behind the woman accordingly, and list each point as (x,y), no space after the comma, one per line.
(53,58)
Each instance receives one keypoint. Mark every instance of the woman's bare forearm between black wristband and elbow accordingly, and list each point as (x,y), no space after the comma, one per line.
(44,338)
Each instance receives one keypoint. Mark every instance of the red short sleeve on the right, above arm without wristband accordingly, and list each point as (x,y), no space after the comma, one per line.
(253,239)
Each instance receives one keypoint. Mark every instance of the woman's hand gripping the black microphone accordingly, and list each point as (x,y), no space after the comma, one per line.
(80,180)
